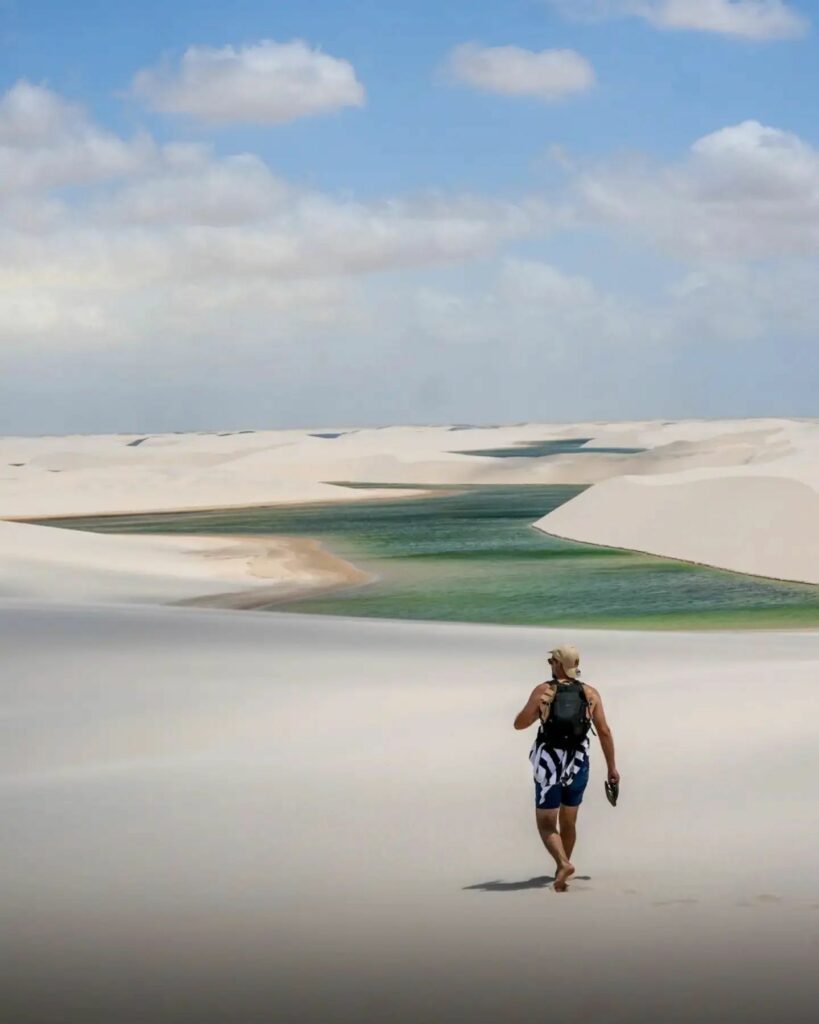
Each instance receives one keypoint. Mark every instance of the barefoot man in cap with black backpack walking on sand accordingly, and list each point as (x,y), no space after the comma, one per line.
(559,756)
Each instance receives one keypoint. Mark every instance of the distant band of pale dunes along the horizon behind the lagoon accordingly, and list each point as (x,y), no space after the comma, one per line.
(51,477)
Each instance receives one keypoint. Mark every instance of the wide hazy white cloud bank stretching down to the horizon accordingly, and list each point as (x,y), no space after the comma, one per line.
(175,270)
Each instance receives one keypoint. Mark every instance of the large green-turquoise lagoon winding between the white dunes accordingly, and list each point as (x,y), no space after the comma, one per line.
(473,556)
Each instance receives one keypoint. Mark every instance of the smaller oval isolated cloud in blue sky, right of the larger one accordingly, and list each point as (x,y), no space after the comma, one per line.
(511,71)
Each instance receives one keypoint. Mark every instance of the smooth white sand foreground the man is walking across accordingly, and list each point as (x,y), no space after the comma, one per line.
(219,818)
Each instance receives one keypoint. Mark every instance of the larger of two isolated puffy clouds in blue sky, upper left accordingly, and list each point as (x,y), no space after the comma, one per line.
(264,83)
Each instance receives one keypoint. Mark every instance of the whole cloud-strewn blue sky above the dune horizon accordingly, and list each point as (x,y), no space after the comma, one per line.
(303,215)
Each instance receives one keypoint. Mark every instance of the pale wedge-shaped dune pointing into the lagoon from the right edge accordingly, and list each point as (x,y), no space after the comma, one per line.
(757,511)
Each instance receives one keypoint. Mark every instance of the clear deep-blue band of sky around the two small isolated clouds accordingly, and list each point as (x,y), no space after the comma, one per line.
(658,92)
